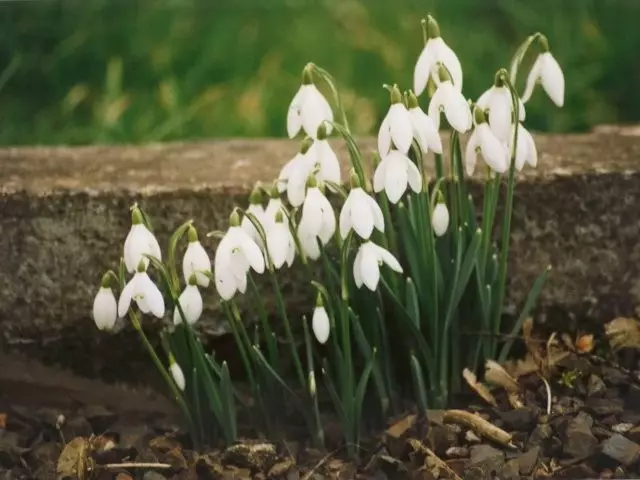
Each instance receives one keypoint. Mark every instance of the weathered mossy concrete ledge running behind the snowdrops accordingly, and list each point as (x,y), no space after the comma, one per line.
(64,214)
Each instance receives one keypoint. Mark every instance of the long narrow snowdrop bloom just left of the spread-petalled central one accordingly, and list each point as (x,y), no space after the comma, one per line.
(318,221)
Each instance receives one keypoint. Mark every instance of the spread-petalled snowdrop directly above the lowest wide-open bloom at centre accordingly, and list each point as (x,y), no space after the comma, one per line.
(362,213)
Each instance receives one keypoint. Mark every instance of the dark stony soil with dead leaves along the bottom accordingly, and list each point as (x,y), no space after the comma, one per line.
(593,431)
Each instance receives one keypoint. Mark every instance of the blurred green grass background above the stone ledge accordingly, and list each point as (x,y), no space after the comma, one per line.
(100,71)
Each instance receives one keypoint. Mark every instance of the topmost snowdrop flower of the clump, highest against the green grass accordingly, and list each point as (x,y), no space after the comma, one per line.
(435,52)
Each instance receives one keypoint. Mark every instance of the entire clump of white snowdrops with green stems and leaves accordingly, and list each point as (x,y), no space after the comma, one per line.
(409,280)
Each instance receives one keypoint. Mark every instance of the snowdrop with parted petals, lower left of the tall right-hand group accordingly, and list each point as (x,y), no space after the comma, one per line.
(483,141)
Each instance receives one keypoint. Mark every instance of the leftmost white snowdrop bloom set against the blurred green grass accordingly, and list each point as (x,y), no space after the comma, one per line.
(308,109)
